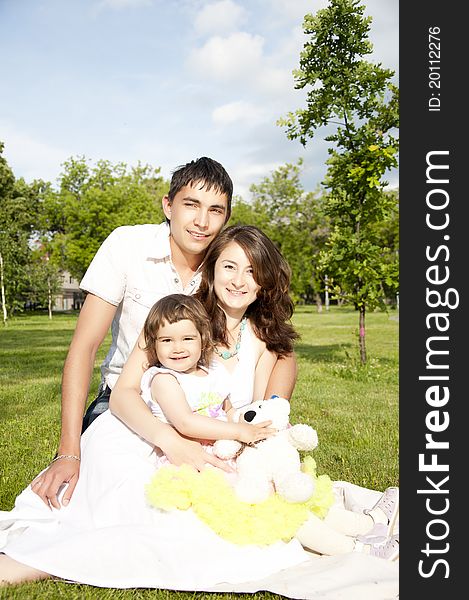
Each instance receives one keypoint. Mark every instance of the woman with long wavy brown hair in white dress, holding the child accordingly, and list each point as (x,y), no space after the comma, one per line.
(127,543)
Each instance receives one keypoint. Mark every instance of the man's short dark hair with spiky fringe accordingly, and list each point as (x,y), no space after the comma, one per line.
(206,171)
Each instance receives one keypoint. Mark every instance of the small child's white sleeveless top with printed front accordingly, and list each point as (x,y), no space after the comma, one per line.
(205,394)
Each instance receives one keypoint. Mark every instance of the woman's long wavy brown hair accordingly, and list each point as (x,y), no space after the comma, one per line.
(271,312)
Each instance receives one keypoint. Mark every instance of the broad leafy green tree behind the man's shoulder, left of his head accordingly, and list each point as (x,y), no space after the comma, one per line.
(90,202)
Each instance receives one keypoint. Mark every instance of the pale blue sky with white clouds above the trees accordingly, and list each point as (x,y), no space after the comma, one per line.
(161,82)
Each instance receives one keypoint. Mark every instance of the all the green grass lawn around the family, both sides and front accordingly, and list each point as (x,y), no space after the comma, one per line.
(353,408)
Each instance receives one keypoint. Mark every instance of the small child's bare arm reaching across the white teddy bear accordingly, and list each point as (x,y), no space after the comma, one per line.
(167,392)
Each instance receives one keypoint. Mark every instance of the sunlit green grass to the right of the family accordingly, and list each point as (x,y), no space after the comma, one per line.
(353,408)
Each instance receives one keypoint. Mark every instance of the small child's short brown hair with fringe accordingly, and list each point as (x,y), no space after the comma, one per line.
(171,309)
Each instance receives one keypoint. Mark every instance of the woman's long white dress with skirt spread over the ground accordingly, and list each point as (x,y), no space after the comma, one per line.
(109,536)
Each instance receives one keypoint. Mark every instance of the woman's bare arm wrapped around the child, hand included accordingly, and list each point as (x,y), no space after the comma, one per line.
(127,404)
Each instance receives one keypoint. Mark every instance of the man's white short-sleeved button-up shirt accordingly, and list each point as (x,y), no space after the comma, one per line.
(132,270)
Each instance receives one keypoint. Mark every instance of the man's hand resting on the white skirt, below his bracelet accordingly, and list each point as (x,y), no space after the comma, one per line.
(48,484)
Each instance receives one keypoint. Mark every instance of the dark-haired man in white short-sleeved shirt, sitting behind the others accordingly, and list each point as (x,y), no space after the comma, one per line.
(135,266)
